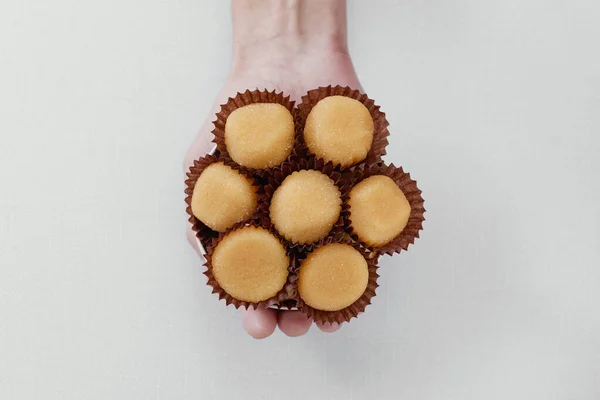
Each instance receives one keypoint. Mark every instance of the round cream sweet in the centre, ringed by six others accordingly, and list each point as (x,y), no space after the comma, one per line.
(305,206)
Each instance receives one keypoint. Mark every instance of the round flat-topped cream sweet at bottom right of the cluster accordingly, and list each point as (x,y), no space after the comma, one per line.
(333,277)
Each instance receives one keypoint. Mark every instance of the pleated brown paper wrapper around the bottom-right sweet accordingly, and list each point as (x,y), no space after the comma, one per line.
(353,310)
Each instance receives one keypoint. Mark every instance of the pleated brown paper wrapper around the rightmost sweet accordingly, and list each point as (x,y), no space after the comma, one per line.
(413,195)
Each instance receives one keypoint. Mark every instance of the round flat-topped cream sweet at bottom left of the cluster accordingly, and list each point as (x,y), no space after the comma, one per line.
(250,264)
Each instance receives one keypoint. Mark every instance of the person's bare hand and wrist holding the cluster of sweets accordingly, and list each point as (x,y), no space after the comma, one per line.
(290,46)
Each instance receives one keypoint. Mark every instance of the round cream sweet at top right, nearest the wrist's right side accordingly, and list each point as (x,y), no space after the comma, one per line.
(339,129)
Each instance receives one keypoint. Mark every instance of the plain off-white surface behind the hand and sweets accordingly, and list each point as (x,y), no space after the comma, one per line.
(495,110)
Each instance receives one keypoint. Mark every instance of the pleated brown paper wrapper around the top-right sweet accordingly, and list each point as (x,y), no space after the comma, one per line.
(380,132)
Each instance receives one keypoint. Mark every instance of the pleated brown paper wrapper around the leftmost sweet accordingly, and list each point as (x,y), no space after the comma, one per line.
(203,232)
